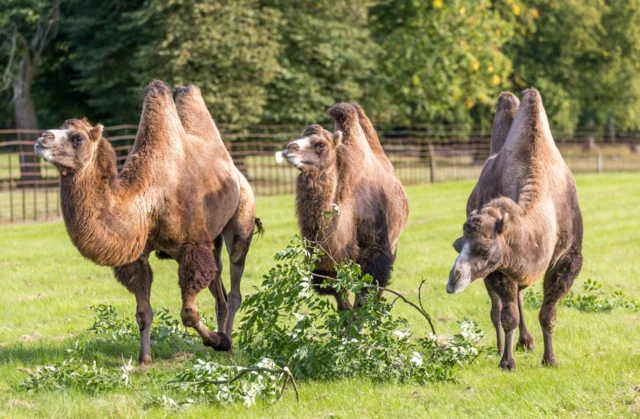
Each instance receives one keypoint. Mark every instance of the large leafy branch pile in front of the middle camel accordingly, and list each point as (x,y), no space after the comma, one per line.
(289,323)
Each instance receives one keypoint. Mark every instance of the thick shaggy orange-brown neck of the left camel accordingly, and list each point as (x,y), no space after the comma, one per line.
(107,227)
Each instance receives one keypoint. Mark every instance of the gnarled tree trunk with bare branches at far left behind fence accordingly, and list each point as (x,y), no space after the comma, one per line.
(28,27)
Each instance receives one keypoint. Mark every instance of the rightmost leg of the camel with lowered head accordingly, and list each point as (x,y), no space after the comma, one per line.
(557,284)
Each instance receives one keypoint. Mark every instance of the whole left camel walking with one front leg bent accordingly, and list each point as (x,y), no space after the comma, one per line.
(178,193)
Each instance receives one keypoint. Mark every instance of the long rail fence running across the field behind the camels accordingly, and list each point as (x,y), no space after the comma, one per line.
(29,188)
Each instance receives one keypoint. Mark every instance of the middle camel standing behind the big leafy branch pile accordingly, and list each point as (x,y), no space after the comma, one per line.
(349,169)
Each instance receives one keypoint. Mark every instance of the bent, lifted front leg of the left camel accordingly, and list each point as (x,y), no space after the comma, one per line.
(197,270)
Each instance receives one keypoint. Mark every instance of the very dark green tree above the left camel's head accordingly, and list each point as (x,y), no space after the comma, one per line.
(102,41)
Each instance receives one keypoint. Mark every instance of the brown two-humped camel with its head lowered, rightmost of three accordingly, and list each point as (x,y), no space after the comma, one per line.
(523,221)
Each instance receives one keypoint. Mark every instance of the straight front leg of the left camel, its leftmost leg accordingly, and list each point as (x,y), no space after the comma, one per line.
(137,277)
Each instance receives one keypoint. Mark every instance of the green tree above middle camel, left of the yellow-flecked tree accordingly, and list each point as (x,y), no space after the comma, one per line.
(328,56)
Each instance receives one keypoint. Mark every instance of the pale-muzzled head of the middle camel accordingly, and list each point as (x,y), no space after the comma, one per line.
(315,151)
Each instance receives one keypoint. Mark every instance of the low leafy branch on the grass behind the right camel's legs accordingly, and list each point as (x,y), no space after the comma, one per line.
(594,299)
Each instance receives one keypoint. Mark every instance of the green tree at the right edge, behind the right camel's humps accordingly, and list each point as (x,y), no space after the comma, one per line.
(584,56)
